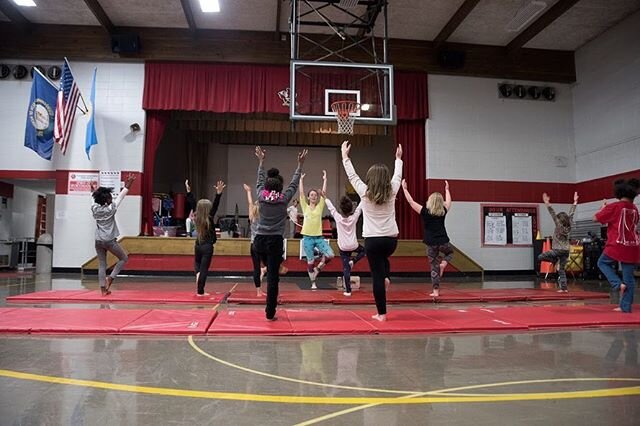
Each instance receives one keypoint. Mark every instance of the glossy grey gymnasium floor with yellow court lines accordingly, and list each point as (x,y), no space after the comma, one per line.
(587,376)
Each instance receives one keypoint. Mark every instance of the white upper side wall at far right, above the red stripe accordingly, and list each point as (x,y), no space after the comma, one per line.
(606,102)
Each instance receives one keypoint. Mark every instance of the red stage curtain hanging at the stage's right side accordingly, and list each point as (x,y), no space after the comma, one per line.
(411,134)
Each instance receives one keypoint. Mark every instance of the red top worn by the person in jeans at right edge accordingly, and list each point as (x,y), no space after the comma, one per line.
(623,241)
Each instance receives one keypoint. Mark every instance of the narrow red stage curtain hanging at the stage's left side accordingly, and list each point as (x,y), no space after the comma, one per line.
(154,129)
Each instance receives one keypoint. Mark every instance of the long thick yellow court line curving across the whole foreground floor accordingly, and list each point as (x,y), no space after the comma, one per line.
(295,399)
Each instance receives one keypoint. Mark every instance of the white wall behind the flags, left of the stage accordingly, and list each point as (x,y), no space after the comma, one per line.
(119,88)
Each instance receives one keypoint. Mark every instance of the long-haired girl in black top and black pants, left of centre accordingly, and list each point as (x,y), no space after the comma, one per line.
(205,226)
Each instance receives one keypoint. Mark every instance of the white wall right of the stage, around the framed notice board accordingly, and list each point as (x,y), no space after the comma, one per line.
(474,135)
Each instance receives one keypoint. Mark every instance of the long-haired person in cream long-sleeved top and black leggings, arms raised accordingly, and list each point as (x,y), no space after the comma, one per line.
(380,230)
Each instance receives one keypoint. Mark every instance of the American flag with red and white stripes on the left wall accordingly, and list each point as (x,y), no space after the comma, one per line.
(68,96)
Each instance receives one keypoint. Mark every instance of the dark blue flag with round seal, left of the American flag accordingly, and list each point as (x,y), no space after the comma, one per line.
(40,117)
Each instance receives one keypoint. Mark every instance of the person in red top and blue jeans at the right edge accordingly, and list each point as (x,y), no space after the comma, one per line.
(623,241)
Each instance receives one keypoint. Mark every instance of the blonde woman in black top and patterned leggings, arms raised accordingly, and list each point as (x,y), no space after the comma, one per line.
(435,234)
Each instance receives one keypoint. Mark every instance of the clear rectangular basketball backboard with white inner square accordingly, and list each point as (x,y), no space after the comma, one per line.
(315,86)
